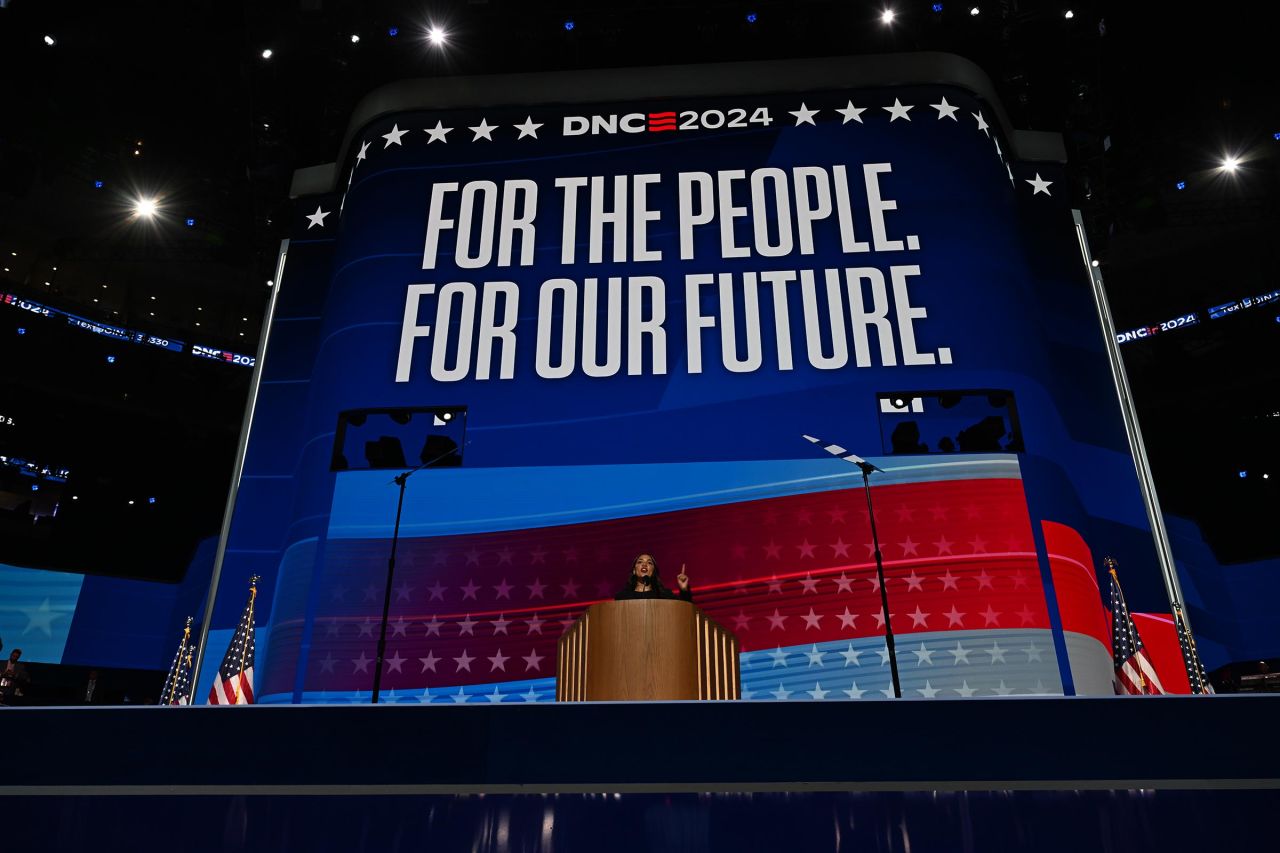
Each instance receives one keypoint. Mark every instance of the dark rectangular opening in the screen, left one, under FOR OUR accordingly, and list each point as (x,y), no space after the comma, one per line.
(400,439)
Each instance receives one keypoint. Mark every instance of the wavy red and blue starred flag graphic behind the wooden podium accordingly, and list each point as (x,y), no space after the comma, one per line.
(477,617)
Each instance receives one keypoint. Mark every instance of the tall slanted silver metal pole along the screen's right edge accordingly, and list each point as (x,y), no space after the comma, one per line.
(1146,483)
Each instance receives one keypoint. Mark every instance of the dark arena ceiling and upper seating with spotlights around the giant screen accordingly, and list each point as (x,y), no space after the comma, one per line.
(175,102)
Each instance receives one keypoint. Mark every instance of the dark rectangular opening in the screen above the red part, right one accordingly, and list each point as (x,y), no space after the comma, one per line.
(949,422)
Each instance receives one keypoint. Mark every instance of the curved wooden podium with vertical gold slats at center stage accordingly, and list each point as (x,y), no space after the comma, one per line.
(648,649)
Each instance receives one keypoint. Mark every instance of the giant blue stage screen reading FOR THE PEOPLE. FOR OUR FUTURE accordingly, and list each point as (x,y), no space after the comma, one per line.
(611,326)
